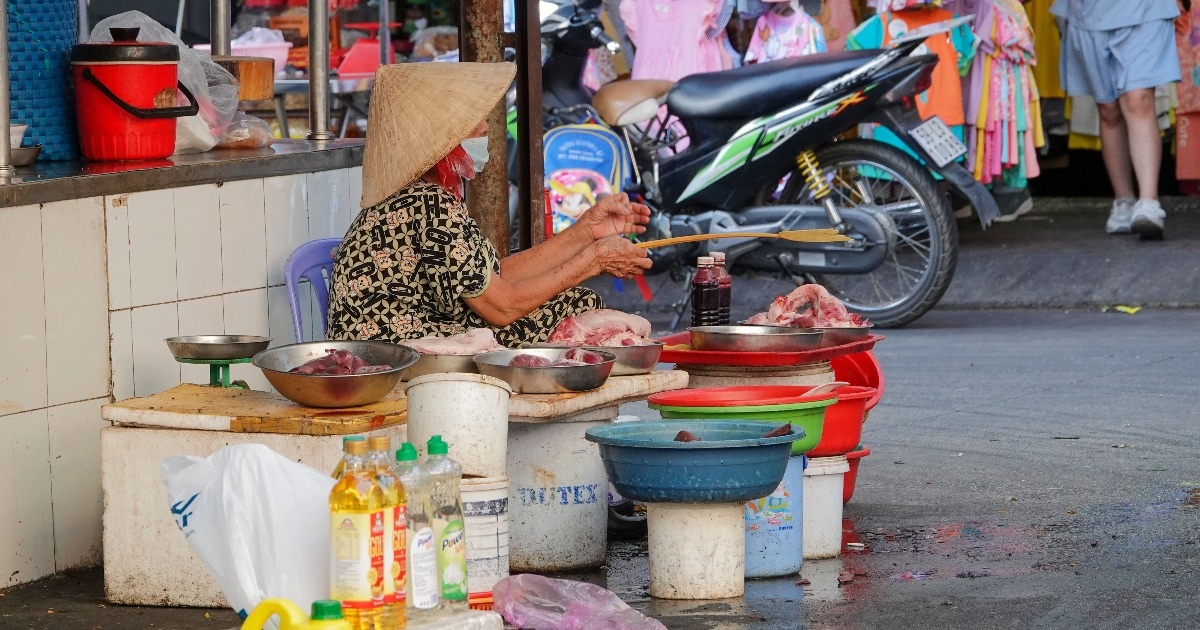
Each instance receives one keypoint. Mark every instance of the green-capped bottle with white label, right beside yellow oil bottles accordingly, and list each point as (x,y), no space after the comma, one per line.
(423,562)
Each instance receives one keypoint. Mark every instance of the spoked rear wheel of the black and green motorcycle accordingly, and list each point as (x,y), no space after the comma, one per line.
(922,238)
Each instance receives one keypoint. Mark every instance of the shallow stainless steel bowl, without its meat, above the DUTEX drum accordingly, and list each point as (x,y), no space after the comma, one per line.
(545,380)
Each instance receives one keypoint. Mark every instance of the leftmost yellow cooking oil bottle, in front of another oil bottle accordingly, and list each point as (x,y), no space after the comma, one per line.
(357,532)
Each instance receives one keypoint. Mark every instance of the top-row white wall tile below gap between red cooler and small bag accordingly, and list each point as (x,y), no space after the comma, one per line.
(199,242)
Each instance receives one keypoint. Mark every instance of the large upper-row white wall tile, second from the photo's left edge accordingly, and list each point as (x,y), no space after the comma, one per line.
(76,301)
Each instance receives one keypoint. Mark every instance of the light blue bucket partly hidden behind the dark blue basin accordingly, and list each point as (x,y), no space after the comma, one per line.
(775,527)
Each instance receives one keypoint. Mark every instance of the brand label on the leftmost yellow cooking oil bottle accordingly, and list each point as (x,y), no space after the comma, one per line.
(357,565)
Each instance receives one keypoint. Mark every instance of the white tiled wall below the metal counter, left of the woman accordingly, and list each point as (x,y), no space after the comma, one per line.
(93,289)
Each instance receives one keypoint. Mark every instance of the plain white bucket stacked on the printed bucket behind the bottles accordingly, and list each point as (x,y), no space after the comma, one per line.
(471,412)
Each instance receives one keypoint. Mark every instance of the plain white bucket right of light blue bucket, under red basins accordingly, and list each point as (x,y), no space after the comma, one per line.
(824,481)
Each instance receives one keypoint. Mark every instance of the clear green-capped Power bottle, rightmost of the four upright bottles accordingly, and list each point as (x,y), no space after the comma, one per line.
(451,533)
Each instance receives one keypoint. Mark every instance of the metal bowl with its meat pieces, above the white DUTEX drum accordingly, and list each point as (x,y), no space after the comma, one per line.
(549,370)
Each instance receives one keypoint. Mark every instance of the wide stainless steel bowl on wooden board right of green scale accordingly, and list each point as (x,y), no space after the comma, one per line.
(345,391)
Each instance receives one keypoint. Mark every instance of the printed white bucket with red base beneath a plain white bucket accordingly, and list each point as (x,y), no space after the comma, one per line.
(485,508)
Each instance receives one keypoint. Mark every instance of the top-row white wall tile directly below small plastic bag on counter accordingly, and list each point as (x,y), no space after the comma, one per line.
(243,236)
